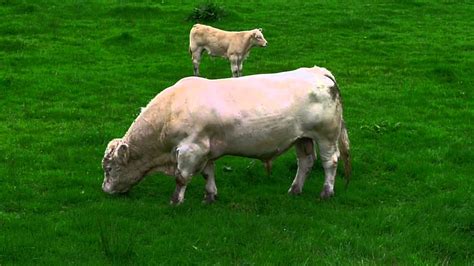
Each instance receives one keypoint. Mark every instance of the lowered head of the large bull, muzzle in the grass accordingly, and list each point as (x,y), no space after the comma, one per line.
(119,175)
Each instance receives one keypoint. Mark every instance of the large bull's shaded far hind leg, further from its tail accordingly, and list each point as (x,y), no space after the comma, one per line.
(306,156)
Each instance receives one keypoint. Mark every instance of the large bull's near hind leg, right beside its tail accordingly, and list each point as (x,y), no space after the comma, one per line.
(329,155)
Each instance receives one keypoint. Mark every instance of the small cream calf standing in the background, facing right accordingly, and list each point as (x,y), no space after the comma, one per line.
(233,45)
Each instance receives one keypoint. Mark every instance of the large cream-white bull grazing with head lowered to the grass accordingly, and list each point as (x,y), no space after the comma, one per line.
(188,126)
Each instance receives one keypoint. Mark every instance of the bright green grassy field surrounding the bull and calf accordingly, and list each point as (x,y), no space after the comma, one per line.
(74,74)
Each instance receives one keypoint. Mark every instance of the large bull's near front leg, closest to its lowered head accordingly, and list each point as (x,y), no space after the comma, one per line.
(191,158)
